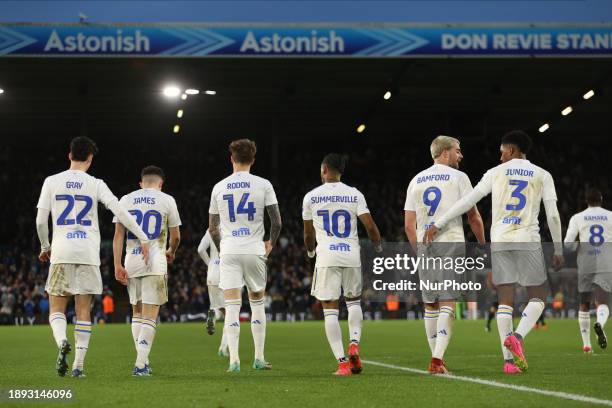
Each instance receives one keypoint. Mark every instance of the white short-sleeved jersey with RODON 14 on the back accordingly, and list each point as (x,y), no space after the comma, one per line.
(240,200)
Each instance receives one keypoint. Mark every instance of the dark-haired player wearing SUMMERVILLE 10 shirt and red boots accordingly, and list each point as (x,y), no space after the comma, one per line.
(330,214)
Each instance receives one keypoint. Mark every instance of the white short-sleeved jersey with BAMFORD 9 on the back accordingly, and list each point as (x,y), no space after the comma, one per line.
(432,193)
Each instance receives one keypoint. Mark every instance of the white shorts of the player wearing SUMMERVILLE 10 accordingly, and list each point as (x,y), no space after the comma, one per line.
(330,282)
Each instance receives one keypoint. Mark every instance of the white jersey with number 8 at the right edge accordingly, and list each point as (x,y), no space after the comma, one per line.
(593,228)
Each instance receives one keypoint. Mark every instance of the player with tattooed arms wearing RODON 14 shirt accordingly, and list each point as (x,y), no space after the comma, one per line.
(236,225)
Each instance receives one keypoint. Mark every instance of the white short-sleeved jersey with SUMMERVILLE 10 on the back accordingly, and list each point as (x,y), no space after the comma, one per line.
(333,209)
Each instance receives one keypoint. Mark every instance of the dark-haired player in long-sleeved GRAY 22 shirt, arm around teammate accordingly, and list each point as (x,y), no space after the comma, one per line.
(72,197)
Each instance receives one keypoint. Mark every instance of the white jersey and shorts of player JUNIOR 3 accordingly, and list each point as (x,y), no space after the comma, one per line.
(517,189)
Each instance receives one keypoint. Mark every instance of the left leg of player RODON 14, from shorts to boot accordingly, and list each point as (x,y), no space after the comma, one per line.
(231,281)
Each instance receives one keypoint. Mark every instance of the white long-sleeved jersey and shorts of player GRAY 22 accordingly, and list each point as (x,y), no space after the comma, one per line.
(72,198)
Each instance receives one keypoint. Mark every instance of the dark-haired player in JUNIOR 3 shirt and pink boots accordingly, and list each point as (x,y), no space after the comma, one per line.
(517,188)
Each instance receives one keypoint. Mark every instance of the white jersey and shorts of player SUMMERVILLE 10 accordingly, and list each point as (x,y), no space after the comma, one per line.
(334,209)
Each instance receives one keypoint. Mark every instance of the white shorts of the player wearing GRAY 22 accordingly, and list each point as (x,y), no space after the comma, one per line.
(73,279)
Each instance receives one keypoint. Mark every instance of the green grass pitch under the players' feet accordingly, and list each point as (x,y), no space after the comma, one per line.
(187,371)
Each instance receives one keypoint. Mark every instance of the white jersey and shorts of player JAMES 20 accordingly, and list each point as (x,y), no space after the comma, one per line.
(155,211)
